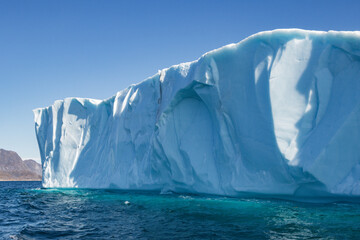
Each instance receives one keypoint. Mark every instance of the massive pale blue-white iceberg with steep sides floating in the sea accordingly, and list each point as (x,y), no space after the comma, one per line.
(277,113)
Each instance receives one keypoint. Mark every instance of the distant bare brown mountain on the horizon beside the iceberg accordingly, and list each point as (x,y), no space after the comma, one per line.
(13,168)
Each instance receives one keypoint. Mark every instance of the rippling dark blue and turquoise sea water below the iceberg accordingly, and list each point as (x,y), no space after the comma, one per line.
(29,212)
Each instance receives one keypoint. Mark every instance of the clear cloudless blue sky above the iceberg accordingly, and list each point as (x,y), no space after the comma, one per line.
(54,49)
